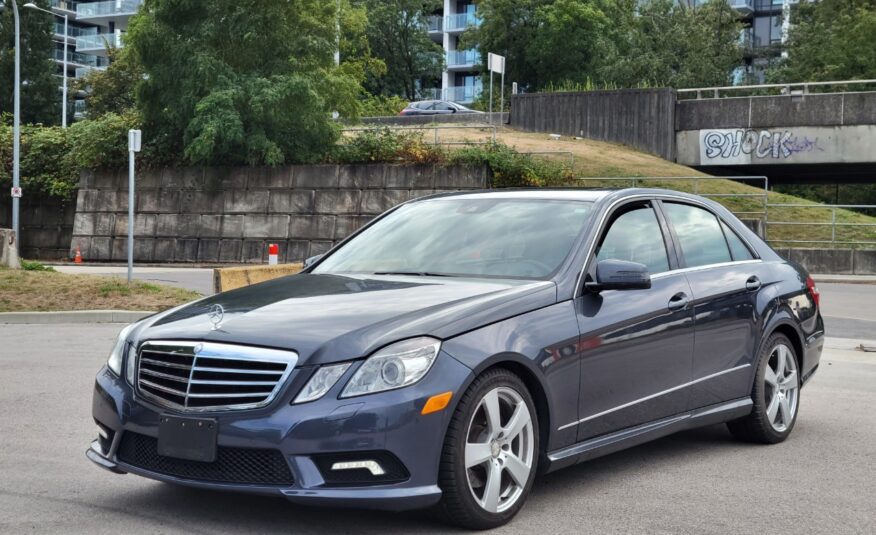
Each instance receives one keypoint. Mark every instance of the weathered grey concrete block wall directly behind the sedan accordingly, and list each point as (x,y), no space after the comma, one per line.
(229,215)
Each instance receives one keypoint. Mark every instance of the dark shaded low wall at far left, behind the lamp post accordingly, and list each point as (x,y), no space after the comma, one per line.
(46,226)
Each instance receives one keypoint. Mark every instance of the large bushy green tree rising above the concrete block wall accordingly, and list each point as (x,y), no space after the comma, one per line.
(240,81)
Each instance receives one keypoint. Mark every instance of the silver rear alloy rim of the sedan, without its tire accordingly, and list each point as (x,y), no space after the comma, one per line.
(782,388)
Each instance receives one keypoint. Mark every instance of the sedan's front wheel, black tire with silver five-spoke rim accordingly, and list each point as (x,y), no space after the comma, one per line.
(467,493)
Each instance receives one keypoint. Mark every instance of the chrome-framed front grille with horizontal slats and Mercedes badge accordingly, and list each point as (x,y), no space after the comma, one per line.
(205,376)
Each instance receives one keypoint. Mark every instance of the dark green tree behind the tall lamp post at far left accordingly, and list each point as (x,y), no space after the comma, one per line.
(40,94)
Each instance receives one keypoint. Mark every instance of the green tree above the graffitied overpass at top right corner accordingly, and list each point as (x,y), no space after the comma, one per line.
(829,40)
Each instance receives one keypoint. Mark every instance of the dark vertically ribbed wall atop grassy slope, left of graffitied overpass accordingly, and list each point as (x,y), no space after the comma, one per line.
(644,119)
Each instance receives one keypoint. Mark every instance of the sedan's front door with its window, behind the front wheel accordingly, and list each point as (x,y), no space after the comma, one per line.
(636,345)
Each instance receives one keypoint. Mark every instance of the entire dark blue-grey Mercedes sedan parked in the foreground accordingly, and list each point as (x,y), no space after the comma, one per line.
(460,344)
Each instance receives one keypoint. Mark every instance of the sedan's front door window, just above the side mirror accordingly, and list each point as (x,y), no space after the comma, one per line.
(636,236)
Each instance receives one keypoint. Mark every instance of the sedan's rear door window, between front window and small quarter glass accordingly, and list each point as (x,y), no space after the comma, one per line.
(699,235)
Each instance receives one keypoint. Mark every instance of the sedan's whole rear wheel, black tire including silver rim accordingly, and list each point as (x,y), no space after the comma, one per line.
(776,395)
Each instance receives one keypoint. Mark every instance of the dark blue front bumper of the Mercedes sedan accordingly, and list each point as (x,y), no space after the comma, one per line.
(384,422)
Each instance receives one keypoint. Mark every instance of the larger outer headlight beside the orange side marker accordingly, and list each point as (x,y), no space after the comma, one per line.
(397,365)
